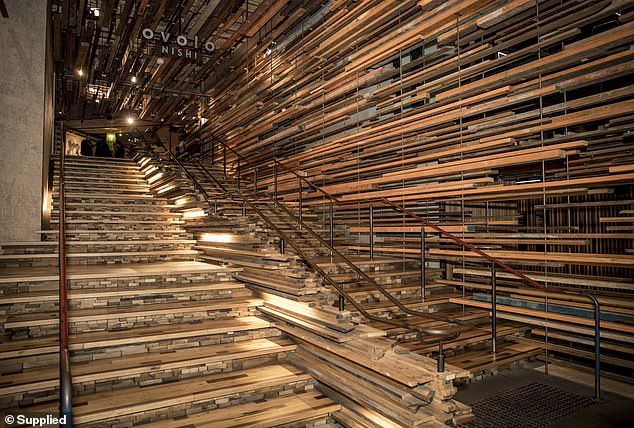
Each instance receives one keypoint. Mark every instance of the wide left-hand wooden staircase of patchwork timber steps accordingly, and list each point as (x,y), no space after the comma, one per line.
(156,336)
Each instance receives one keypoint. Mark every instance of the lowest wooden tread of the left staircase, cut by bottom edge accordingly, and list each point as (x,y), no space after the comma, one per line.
(268,412)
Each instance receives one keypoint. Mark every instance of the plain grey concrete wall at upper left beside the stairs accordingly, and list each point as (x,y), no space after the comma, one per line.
(22,117)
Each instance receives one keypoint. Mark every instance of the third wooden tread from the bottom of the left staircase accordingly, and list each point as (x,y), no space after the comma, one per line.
(38,379)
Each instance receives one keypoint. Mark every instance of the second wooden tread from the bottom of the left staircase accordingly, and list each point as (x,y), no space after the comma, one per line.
(134,401)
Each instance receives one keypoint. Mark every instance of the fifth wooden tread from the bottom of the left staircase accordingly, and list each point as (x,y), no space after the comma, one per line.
(151,310)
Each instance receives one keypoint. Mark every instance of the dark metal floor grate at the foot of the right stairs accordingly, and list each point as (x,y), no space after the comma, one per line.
(530,406)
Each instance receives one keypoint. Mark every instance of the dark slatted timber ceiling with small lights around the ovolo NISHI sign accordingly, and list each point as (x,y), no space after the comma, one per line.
(123,58)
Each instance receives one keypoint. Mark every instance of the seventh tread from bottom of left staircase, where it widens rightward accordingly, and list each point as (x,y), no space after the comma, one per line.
(48,273)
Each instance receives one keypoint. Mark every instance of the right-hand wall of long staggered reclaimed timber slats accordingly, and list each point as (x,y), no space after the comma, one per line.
(472,114)
